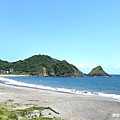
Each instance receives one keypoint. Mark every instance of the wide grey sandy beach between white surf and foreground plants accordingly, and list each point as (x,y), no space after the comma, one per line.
(70,106)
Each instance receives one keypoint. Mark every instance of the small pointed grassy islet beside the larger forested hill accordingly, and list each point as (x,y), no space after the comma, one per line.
(98,71)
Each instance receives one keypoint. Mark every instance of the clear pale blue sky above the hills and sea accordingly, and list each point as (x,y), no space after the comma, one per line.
(86,33)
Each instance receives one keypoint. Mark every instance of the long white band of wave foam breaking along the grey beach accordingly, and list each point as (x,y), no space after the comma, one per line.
(65,90)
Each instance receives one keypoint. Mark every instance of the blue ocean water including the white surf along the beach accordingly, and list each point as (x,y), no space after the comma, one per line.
(108,87)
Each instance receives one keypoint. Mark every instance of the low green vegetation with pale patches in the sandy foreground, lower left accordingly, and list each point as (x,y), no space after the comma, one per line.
(31,113)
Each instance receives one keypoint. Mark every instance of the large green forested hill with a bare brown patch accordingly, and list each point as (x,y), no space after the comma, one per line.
(40,65)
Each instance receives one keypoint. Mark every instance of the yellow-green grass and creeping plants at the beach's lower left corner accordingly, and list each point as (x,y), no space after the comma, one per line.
(8,113)
